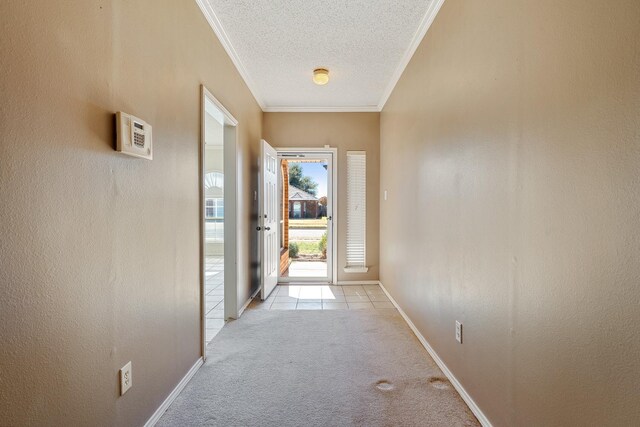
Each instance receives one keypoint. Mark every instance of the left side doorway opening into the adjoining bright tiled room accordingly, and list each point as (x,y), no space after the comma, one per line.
(219,299)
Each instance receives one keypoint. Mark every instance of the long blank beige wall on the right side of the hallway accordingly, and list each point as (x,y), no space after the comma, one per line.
(514,136)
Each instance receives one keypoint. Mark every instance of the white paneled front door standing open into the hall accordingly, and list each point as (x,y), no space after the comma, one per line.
(268,224)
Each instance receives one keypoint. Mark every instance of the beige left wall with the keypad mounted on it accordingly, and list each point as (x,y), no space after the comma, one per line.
(99,252)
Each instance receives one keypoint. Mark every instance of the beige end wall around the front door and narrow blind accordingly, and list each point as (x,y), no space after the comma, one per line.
(344,131)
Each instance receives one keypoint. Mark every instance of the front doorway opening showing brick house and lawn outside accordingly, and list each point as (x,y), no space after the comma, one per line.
(306,224)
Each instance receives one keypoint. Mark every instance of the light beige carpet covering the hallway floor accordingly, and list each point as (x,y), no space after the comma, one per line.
(318,368)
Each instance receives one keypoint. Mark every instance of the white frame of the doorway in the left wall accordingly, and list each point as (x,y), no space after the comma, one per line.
(230,217)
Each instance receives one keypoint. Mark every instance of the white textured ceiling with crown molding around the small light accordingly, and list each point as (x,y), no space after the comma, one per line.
(276,44)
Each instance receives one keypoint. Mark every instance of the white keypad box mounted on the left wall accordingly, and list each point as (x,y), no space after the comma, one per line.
(134,136)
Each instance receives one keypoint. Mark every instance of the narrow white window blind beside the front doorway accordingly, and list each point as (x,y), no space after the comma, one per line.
(356,211)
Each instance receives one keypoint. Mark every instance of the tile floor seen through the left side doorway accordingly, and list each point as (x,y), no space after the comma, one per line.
(214,295)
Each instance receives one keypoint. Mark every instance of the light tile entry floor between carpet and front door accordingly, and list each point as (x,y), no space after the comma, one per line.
(324,297)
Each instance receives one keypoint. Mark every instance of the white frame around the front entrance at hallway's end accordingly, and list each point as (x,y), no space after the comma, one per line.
(333,273)
